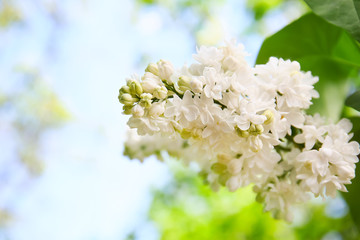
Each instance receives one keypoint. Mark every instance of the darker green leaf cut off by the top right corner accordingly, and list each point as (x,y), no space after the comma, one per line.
(342,13)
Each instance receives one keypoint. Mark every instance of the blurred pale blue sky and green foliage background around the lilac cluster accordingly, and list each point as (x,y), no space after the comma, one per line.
(62,172)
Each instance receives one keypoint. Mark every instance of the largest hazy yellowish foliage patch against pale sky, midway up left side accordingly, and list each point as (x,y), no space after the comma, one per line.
(35,109)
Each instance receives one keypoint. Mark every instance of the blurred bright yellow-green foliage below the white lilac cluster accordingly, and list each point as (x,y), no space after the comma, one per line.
(188,209)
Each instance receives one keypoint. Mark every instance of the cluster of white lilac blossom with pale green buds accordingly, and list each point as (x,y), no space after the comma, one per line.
(242,125)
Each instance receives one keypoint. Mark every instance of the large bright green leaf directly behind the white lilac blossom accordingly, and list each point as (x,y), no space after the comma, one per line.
(322,48)
